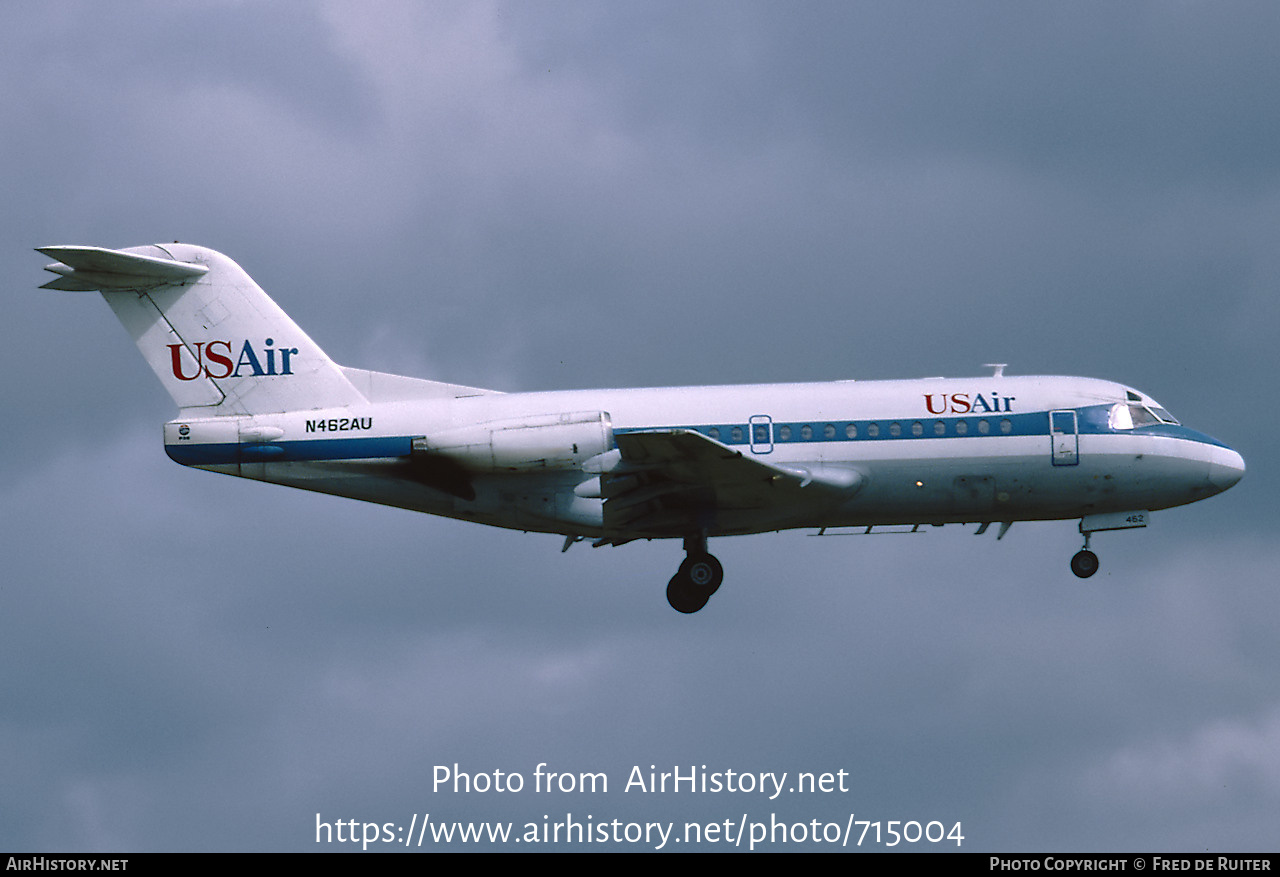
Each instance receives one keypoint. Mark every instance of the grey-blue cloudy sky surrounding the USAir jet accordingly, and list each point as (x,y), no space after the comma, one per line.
(538,197)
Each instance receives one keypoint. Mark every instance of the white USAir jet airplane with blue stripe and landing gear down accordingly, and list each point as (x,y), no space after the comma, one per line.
(258,399)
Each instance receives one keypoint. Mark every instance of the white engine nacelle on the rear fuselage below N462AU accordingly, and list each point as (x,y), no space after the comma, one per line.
(555,441)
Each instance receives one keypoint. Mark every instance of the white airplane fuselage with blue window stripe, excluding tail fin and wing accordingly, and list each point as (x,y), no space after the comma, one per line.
(929,451)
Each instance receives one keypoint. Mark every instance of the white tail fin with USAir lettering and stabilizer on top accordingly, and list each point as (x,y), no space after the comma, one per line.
(213,337)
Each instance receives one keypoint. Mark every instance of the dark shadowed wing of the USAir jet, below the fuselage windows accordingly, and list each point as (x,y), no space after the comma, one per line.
(676,482)
